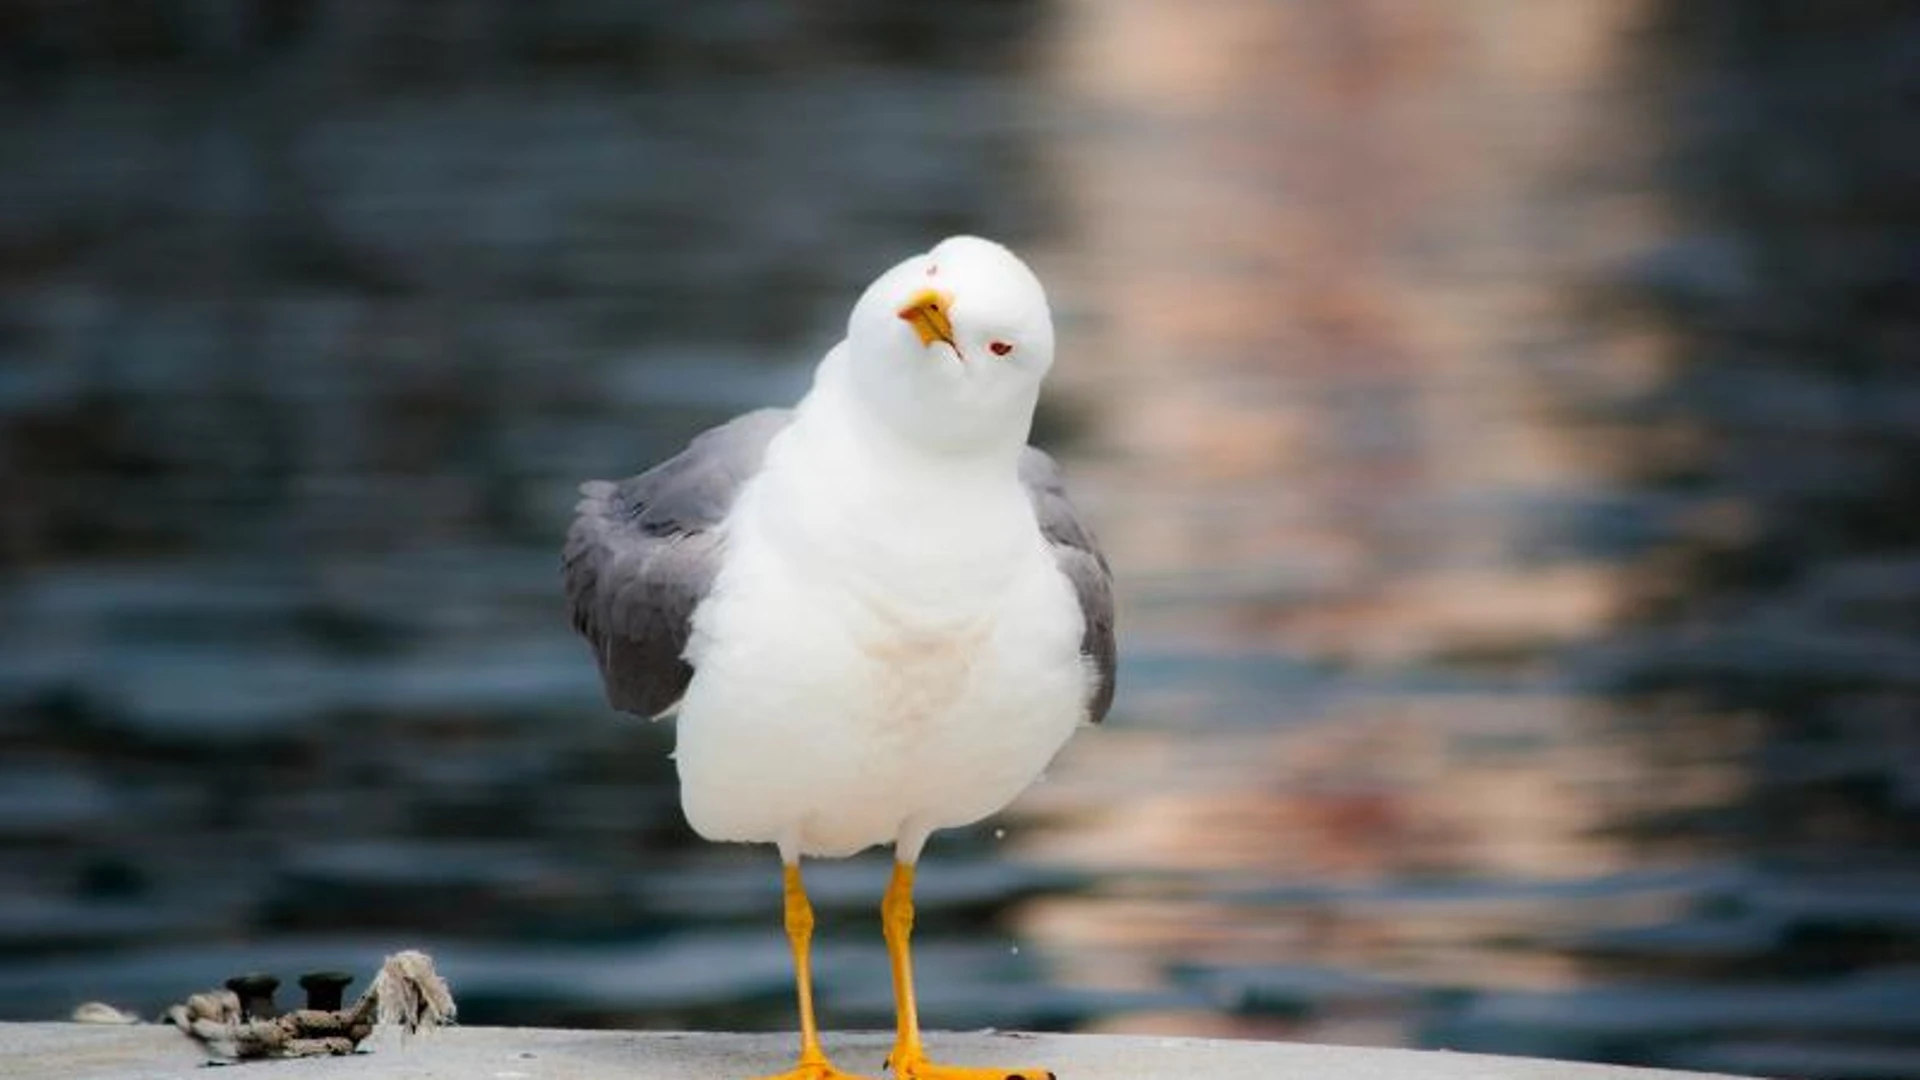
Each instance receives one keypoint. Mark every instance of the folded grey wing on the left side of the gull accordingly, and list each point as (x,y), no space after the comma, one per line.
(644,552)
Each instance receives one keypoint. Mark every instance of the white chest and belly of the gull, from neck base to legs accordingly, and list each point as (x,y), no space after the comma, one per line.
(857,670)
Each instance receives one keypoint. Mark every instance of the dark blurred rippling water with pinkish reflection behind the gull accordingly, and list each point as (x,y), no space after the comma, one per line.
(1502,420)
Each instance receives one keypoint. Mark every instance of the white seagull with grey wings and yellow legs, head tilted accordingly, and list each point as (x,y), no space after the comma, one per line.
(873,616)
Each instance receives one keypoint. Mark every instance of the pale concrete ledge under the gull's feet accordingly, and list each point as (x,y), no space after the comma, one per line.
(153,1052)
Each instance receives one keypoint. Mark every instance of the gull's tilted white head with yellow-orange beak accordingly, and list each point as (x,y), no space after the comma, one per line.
(949,347)
